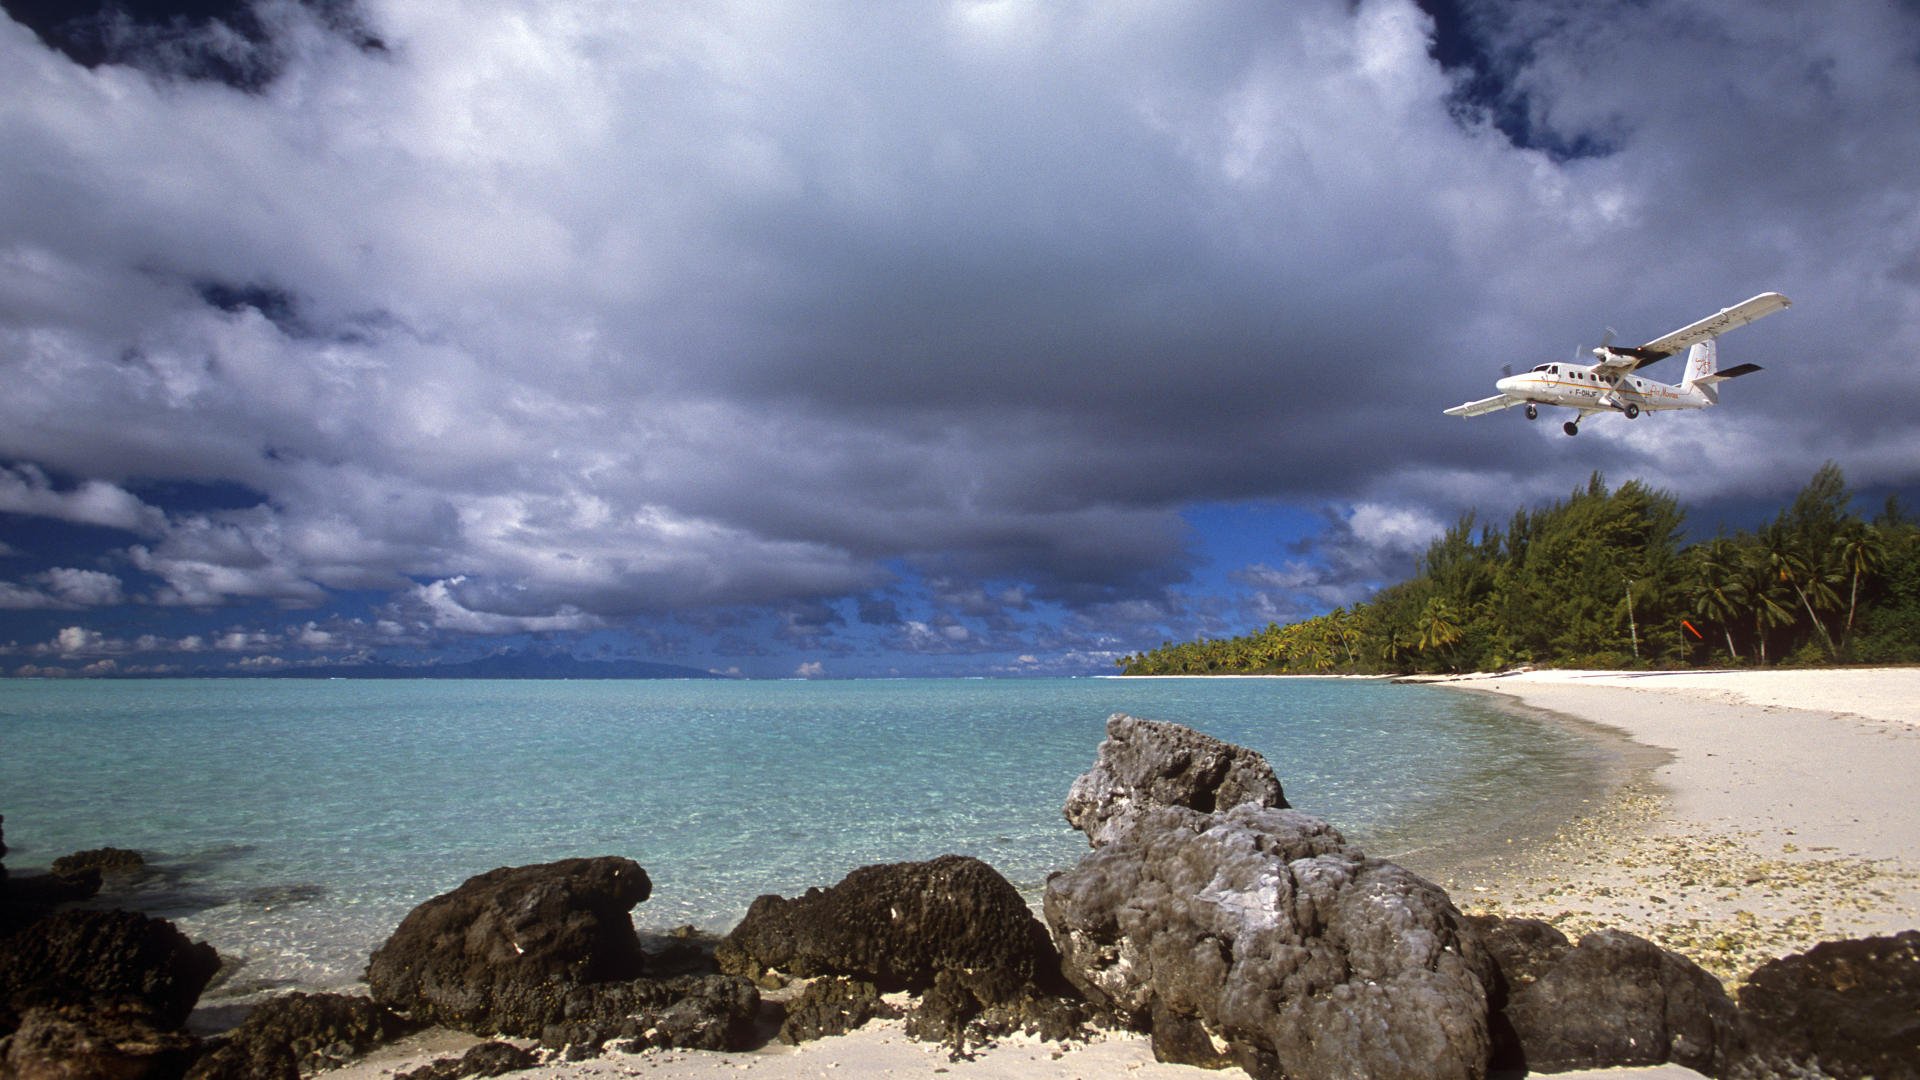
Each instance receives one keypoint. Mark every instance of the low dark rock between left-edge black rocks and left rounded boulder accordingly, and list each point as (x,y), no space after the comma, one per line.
(310,1031)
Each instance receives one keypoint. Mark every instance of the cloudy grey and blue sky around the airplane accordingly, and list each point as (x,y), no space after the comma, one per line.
(892,339)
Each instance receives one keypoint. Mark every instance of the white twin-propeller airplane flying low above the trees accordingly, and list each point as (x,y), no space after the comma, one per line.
(1612,383)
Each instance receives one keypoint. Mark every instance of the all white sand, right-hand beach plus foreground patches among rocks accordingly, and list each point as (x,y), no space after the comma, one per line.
(1781,814)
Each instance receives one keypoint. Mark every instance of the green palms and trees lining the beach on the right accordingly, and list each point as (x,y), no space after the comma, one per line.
(1602,581)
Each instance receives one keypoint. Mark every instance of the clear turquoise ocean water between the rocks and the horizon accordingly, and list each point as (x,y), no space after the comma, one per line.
(297,822)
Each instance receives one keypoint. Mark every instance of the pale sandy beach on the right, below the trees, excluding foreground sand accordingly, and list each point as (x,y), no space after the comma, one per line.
(1773,818)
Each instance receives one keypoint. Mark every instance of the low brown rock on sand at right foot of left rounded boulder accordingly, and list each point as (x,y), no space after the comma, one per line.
(713,1012)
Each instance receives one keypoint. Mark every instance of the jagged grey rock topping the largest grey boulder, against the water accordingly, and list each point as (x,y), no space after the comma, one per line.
(1153,764)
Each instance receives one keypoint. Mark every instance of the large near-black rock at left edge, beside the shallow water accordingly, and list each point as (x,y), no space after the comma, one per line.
(107,958)
